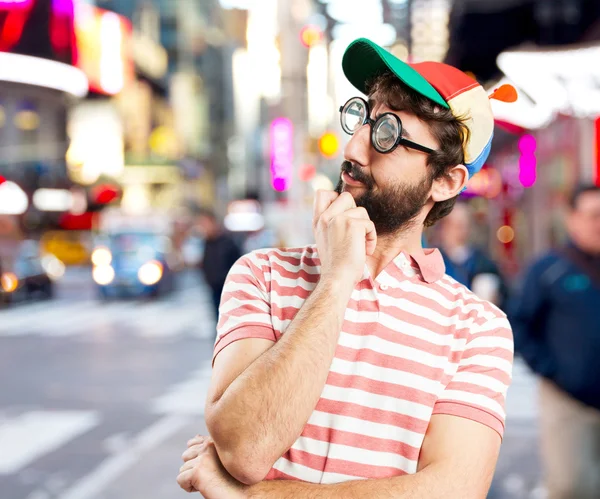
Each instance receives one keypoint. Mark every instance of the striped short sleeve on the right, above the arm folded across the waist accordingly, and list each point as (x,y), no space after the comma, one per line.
(478,389)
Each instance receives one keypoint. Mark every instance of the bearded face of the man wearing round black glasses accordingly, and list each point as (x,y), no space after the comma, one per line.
(394,188)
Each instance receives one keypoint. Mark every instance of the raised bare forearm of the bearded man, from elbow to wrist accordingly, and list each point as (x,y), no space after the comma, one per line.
(263,411)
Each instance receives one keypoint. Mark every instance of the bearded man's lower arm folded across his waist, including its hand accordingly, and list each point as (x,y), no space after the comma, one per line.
(457,461)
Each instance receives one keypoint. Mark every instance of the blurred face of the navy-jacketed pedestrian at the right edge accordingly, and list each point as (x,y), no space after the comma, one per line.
(583,222)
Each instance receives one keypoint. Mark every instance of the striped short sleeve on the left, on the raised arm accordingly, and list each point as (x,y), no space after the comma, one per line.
(245,309)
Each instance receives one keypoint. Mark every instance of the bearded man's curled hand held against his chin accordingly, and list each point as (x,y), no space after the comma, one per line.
(344,234)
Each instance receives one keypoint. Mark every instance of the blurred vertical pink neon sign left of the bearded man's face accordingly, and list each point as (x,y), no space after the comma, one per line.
(282,153)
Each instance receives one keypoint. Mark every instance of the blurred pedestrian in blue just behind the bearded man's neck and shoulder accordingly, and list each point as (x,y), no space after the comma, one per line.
(468,264)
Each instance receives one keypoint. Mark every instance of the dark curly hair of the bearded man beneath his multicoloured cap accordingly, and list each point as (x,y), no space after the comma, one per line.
(450,131)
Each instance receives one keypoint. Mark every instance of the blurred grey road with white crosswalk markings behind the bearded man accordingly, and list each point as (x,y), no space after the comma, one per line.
(98,399)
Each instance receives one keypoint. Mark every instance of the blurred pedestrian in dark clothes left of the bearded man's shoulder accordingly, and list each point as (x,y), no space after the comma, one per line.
(220,252)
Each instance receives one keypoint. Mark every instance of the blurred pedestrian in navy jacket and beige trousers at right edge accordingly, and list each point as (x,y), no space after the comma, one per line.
(557,332)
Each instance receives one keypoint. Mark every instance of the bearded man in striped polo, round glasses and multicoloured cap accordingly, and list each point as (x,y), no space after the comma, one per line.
(357,358)
